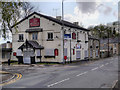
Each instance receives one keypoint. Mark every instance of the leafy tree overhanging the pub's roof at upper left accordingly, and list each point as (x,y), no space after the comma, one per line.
(11,14)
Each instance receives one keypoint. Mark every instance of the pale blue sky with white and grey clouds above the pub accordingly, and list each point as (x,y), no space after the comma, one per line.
(86,12)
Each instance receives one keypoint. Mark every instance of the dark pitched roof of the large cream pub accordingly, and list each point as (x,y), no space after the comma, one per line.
(61,22)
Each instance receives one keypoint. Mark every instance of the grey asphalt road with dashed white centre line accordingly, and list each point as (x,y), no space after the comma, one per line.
(98,74)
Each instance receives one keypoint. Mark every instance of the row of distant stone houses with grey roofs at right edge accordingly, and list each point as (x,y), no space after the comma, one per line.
(113,47)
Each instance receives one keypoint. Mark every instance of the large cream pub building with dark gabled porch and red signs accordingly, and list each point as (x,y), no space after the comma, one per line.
(39,38)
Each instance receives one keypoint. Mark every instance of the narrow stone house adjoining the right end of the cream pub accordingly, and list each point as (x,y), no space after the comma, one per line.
(93,47)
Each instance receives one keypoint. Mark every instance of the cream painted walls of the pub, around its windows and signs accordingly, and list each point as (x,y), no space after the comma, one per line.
(48,26)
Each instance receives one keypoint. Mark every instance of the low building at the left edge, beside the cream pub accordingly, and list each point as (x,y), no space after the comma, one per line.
(6,50)
